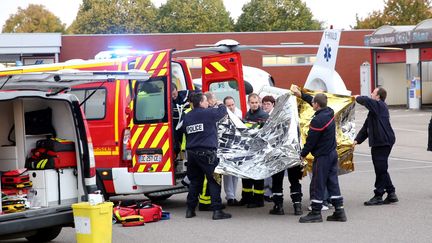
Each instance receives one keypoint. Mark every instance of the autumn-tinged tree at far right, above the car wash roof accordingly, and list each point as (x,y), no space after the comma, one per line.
(397,12)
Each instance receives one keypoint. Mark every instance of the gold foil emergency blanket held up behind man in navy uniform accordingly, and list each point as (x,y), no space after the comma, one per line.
(343,107)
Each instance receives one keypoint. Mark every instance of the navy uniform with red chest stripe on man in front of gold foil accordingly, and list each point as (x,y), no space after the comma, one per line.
(321,142)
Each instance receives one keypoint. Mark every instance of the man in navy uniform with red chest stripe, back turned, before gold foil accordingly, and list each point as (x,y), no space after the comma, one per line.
(321,142)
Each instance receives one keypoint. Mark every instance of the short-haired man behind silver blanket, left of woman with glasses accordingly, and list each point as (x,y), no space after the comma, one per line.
(253,190)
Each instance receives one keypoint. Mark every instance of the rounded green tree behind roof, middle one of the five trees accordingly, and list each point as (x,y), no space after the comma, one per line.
(179,16)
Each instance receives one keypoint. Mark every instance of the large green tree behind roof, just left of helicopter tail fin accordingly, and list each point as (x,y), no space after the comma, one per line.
(276,15)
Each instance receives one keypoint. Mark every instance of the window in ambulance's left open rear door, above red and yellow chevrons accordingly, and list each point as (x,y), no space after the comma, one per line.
(150,105)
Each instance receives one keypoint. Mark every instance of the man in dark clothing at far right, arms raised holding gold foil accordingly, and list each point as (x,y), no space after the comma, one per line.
(381,139)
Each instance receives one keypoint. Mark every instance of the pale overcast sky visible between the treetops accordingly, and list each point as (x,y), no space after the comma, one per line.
(339,13)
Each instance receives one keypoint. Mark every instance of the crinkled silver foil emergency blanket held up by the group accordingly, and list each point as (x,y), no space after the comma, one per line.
(260,153)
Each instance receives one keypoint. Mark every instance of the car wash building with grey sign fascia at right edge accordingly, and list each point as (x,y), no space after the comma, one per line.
(405,73)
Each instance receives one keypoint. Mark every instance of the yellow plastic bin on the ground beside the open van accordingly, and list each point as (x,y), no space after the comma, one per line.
(93,223)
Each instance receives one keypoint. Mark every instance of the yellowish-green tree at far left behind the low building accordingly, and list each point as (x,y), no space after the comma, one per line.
(35,18)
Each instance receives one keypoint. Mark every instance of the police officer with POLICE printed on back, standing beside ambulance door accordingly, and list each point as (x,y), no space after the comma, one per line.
(201,145)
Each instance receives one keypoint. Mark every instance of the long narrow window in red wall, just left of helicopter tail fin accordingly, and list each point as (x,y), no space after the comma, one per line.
(286,60)
